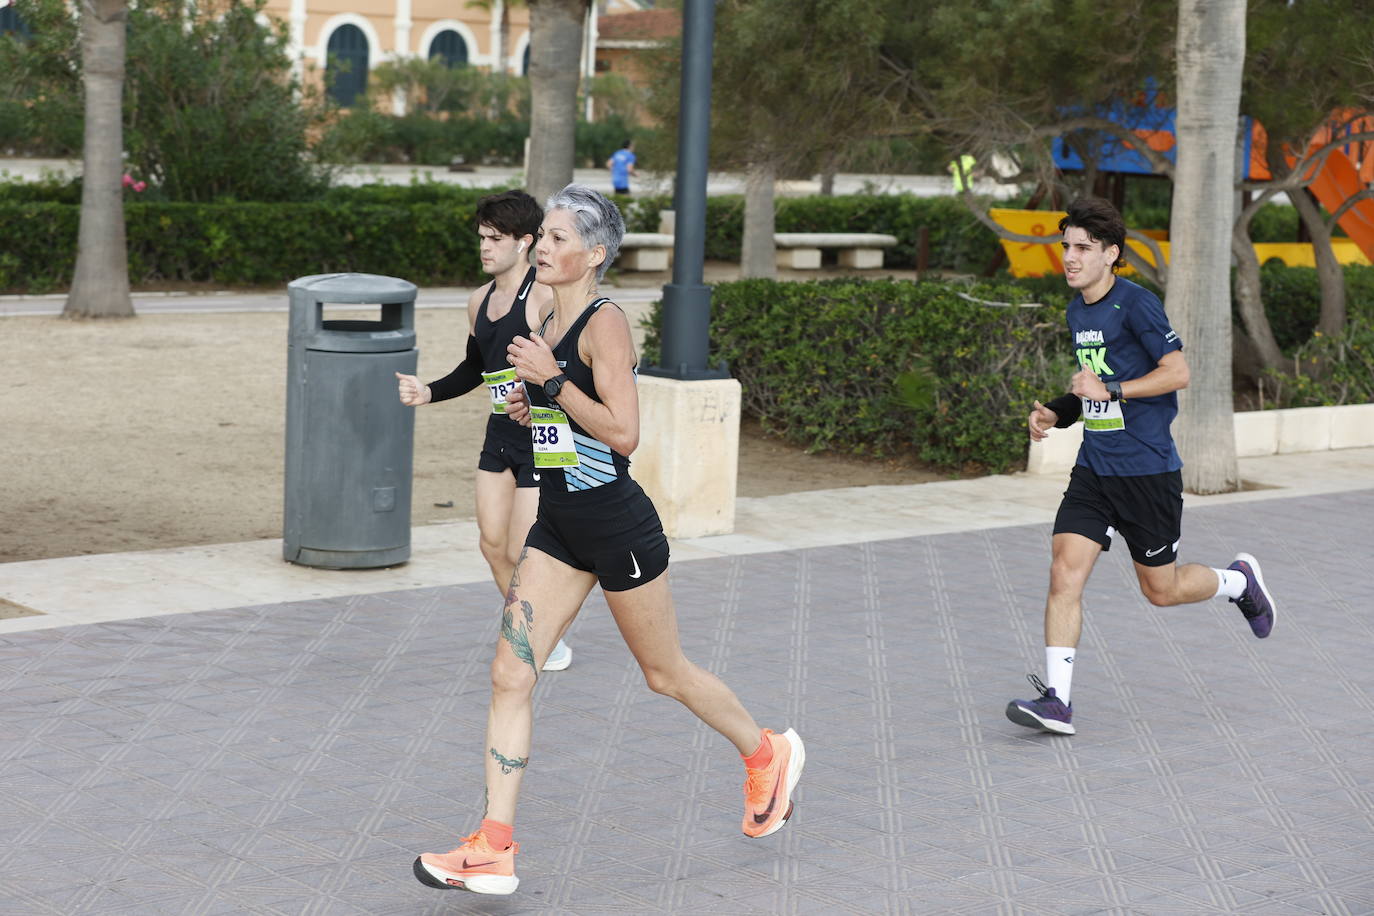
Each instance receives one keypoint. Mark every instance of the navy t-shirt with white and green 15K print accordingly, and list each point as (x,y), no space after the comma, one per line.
(1123,337)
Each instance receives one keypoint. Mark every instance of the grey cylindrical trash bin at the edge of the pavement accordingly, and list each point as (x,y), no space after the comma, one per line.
(350,442)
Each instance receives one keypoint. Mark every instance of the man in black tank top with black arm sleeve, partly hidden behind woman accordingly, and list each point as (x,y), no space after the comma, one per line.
(509,307)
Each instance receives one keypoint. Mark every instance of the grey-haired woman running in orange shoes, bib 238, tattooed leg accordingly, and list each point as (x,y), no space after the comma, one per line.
(596,525)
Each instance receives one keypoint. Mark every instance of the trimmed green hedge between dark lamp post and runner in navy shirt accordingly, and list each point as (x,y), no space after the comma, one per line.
(886,369)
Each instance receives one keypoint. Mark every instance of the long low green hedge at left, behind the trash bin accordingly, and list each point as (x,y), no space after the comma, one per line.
(249,244)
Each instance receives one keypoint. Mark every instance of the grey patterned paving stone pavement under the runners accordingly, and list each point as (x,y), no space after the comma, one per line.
(293,759)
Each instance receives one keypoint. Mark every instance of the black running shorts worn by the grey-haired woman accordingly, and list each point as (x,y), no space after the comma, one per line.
(611,531)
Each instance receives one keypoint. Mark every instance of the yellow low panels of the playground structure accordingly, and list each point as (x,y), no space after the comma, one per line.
(1042,259)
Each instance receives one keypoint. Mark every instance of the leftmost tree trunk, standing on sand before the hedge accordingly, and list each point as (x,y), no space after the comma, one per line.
(101,285)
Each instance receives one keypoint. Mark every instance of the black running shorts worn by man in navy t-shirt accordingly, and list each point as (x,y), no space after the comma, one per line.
(1147,510)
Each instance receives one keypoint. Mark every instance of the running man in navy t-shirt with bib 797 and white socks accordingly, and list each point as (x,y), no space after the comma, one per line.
(1127,480)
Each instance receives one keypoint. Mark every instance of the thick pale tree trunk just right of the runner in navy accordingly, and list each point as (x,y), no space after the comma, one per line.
(1211,53)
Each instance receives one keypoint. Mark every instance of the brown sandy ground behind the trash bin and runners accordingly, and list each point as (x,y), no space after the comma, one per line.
(168,432)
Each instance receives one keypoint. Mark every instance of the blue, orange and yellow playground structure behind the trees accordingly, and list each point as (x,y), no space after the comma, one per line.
(1340,176)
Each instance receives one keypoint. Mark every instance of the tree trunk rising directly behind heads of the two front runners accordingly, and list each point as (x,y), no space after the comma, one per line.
(556,35)
